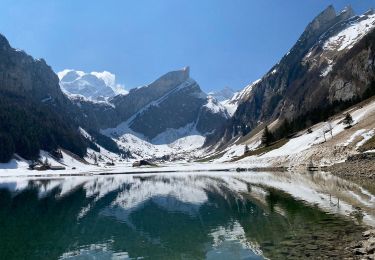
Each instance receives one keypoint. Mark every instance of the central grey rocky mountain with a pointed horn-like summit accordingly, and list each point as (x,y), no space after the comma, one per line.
(170,102)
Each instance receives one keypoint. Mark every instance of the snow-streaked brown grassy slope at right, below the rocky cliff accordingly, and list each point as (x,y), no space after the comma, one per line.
(326,142)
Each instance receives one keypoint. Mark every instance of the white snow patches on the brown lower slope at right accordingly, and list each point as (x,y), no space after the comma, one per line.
(299,149)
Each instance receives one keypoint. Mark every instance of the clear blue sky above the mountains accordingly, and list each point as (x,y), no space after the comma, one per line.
(225,42)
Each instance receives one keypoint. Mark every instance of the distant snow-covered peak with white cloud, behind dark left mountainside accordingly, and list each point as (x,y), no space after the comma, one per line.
(94,85)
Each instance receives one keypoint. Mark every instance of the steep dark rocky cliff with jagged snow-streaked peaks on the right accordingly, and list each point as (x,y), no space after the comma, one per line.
(332,61)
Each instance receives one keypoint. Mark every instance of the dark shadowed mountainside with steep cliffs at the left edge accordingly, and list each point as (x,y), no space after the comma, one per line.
(35,114)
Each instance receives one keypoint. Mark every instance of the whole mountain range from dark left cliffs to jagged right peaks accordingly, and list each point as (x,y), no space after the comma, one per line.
(331,63)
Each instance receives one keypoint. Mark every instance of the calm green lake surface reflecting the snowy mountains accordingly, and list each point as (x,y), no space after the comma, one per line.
(182,216)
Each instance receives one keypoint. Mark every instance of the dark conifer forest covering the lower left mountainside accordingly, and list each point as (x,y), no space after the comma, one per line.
(27,127)
